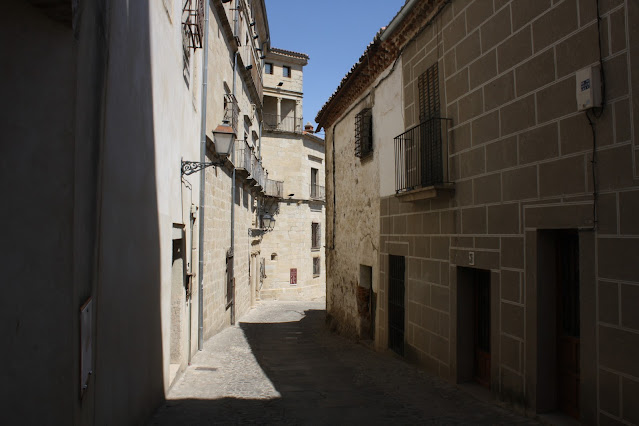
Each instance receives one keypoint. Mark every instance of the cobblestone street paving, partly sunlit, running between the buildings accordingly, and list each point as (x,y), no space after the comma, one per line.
(280,365)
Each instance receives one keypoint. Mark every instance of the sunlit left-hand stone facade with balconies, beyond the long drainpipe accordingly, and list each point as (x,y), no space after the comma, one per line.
(232,235)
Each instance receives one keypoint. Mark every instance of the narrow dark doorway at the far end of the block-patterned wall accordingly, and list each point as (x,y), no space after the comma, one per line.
(396,308)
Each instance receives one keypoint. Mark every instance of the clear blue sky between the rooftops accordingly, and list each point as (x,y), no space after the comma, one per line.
(334,33)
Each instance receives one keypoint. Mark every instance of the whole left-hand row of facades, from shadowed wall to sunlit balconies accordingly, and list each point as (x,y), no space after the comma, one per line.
(101,257)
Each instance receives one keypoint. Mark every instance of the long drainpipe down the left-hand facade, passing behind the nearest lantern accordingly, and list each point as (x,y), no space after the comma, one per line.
(200,252)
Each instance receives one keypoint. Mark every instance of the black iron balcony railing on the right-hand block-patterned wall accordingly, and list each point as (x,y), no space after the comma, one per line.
(421,157)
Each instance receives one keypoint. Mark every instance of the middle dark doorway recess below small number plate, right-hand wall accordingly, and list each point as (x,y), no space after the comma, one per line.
(473,325)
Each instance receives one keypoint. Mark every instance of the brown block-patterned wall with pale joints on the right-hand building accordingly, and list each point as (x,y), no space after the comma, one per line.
(521,159)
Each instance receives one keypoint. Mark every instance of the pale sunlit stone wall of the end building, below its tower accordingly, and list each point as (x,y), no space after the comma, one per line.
(289,158)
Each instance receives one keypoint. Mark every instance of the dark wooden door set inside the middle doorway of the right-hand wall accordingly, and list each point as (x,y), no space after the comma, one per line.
(481,323)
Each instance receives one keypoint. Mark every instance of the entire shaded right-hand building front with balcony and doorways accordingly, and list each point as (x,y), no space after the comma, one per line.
(505,250)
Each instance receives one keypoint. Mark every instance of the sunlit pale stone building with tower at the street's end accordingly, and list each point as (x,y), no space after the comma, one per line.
(293,252)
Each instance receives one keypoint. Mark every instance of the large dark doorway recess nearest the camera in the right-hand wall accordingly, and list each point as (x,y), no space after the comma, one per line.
(558,310)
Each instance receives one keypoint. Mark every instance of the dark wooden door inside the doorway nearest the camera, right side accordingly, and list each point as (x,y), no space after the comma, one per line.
(568,328)
